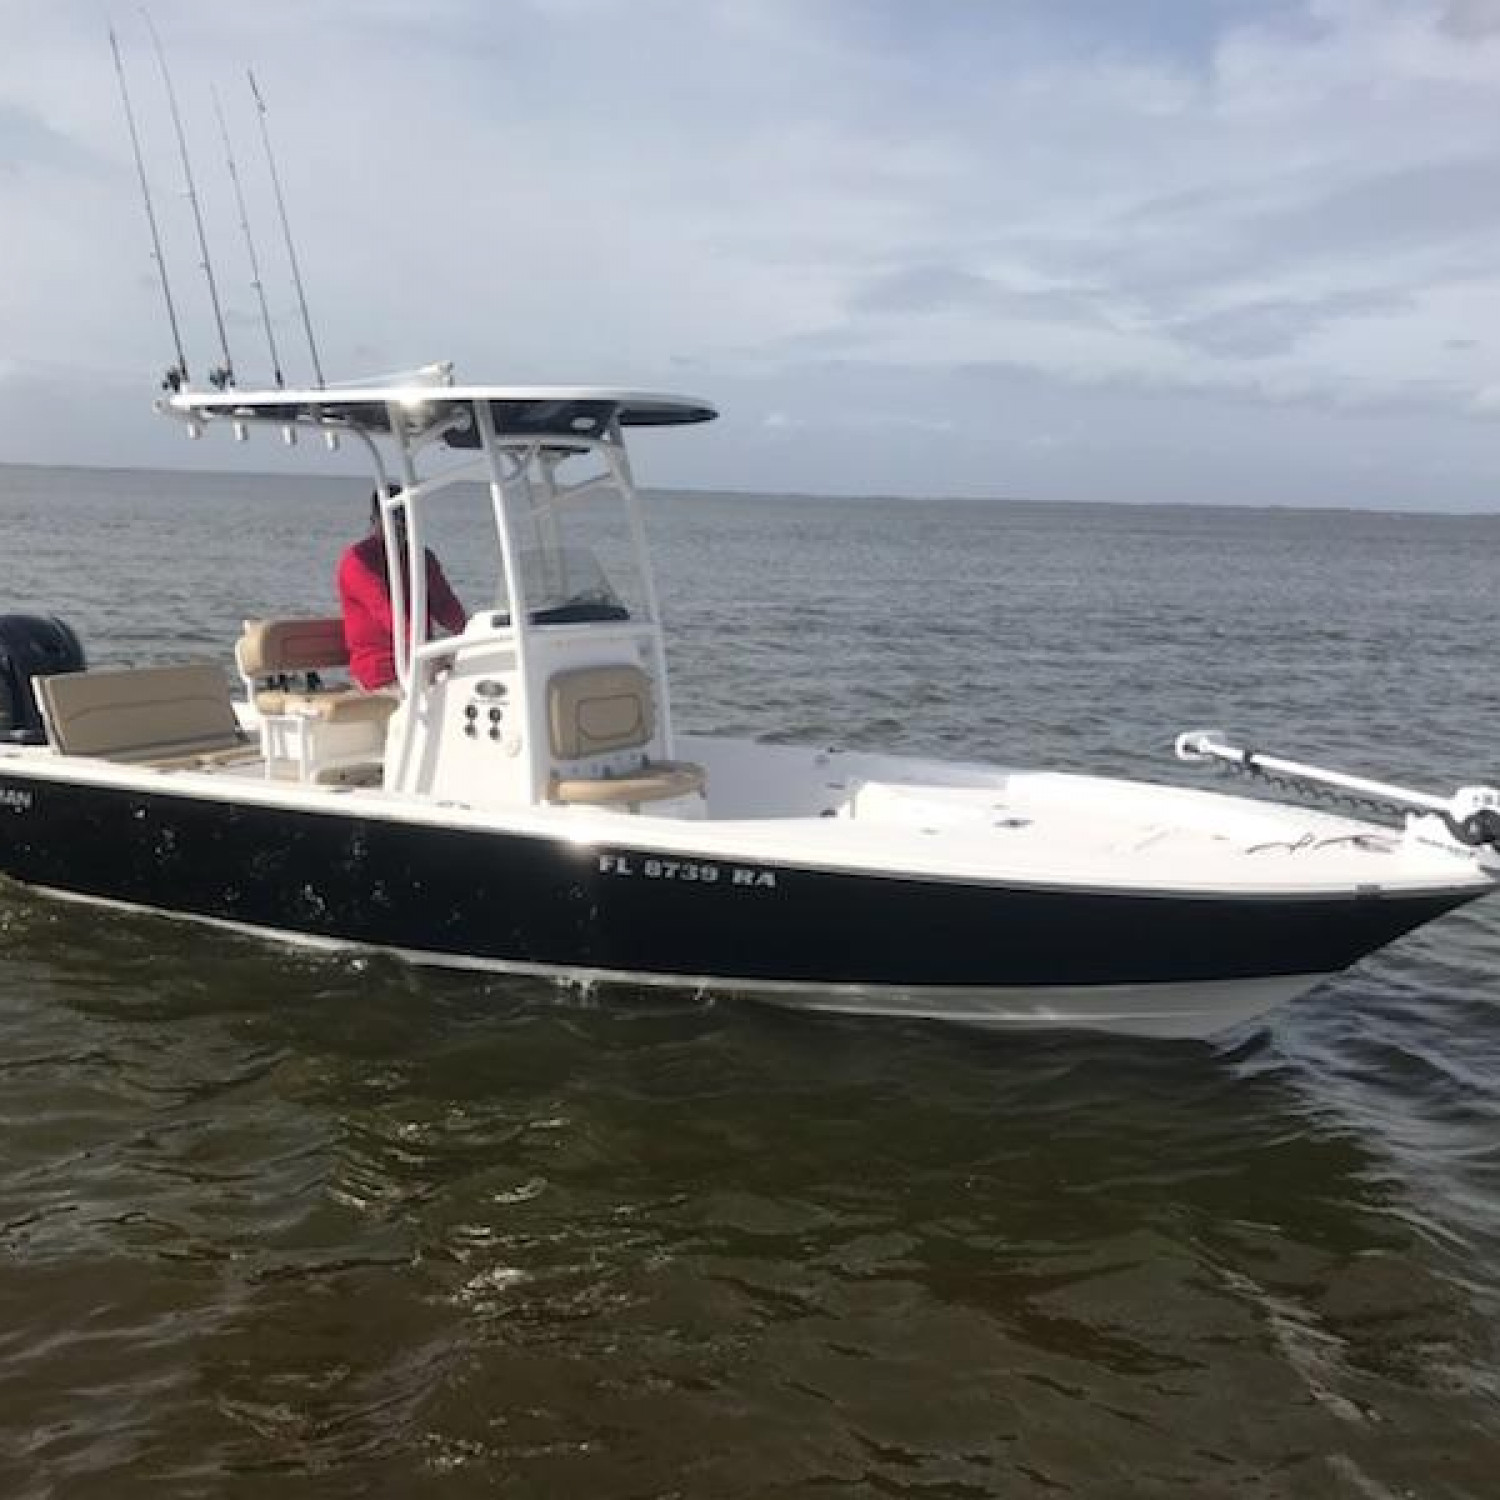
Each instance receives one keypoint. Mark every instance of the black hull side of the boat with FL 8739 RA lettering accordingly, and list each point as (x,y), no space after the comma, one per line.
(526,901)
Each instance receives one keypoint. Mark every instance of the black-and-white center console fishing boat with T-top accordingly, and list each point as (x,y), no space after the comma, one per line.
(524,802)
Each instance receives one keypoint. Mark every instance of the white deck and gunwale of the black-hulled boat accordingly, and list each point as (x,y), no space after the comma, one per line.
(896,817)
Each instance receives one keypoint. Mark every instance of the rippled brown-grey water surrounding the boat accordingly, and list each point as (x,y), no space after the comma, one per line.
(275,1225)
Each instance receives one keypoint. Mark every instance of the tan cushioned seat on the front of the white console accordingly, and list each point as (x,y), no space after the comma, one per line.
(596,718)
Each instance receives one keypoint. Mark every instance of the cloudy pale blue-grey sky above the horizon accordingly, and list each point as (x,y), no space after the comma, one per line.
(1189,251)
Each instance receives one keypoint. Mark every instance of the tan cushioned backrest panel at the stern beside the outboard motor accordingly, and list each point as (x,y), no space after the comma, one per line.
(163,715)
